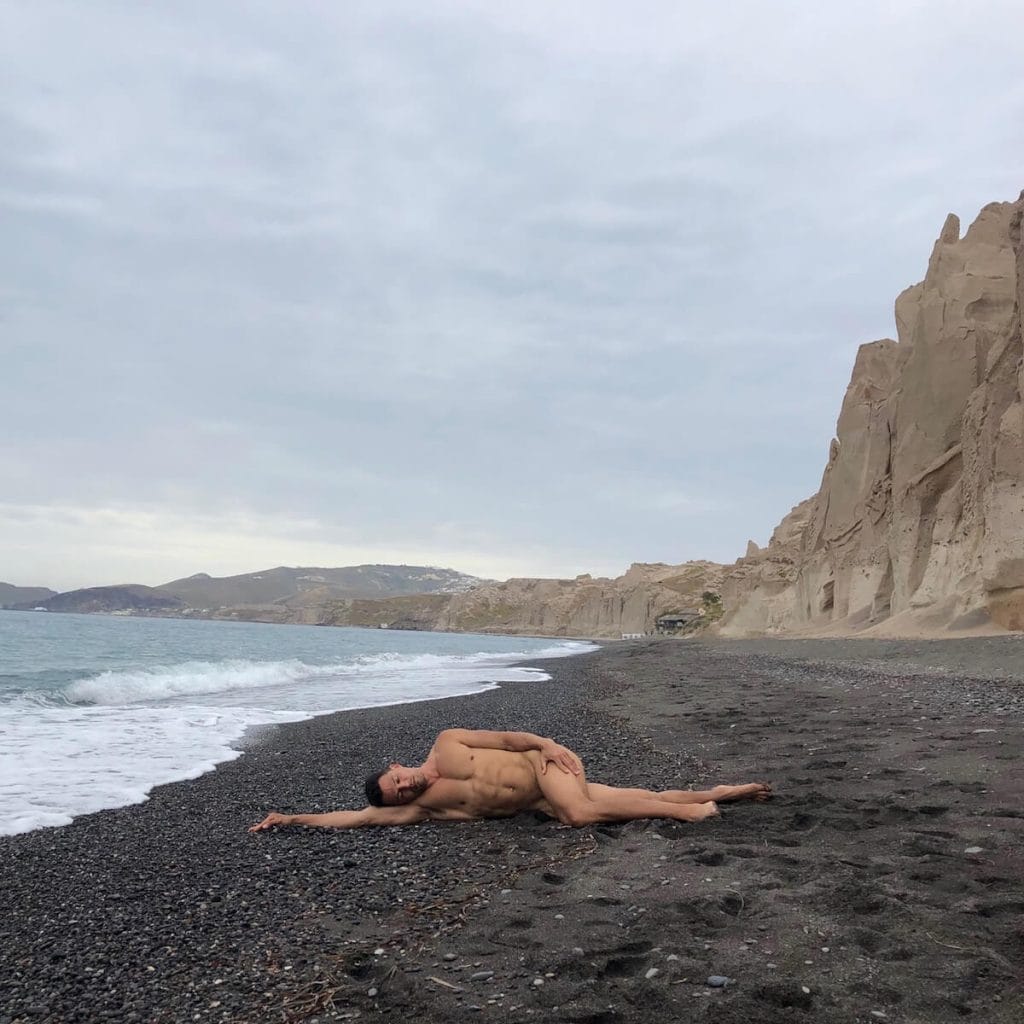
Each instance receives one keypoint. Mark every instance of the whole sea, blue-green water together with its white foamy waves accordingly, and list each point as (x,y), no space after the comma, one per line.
(97,710)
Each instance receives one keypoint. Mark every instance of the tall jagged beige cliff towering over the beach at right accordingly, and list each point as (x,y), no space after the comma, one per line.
(920,518)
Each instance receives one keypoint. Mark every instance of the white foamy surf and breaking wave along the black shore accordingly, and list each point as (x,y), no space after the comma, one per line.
(106,741)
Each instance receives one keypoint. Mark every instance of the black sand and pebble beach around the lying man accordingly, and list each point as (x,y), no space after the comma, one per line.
(884,883)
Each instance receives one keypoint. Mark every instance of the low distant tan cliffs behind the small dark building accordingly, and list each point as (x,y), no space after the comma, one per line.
(585,607)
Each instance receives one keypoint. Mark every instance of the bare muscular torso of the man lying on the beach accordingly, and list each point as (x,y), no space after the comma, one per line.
(482,784)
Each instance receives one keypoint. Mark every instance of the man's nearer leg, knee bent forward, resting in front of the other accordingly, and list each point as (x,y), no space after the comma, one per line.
(575,802)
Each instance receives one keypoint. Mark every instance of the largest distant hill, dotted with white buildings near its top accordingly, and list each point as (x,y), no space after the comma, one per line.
(298,586)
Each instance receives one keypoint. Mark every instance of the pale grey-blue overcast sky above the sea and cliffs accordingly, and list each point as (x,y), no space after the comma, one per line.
(523,289)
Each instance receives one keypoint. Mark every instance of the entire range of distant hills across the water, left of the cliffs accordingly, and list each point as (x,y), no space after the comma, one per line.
(291,588)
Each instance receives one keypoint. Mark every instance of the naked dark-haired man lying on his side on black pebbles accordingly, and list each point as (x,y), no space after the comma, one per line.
(474,774)
